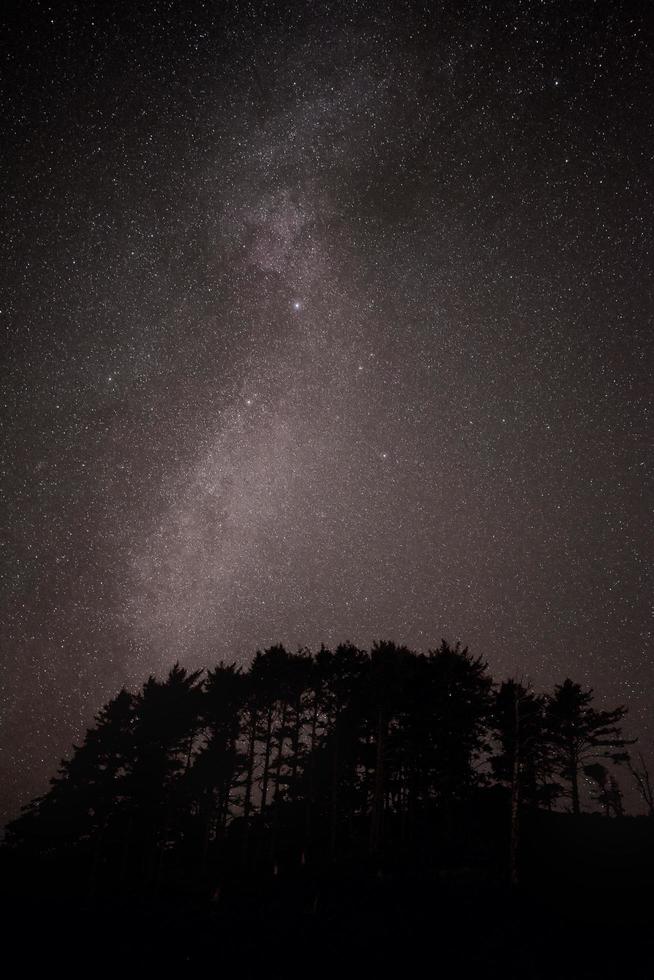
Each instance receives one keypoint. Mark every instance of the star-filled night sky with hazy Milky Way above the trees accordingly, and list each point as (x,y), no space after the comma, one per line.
(323,321)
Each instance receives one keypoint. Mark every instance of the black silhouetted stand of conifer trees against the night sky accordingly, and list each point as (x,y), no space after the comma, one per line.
(339,755)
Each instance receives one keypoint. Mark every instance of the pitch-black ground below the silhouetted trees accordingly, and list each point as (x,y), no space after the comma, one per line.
(585,910)
